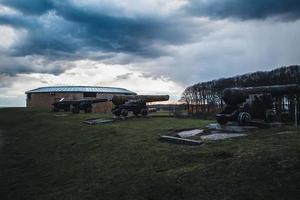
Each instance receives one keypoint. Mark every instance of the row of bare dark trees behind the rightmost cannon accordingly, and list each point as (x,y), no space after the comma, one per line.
(205,95)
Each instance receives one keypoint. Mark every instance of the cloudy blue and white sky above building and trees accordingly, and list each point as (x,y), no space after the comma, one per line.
(149,46)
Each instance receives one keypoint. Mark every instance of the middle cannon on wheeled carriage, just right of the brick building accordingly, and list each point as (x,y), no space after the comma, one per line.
(137,104)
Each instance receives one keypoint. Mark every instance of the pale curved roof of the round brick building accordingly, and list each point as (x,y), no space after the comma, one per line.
(74,89)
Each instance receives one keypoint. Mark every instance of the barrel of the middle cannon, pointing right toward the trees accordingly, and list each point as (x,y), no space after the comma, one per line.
(121,99)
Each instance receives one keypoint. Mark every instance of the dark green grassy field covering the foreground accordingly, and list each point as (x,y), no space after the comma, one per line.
(44,156)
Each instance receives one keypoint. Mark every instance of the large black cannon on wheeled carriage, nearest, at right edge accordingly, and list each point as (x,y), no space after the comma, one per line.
(244,104)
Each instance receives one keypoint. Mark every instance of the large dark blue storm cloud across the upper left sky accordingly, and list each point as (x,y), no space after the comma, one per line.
(74,28)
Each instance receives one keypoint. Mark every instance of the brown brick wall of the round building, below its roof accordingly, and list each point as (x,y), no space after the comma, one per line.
(45,100)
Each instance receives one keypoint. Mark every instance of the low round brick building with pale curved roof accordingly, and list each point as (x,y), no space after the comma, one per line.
(43,97)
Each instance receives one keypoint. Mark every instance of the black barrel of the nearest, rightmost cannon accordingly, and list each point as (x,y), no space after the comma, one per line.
(233,96)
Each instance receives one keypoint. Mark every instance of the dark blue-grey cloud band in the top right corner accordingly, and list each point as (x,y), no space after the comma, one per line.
(245,9)
